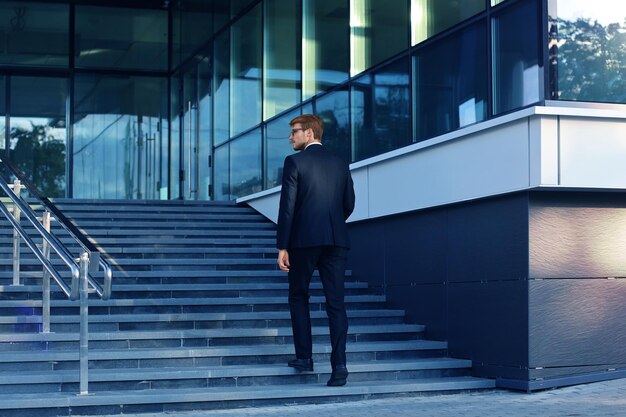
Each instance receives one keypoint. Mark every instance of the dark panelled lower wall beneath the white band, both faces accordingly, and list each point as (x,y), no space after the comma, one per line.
(469,273)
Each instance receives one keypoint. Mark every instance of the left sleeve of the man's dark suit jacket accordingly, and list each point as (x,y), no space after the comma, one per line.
(287,206)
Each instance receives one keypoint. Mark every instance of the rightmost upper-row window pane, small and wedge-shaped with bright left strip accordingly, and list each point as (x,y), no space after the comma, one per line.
(429,17)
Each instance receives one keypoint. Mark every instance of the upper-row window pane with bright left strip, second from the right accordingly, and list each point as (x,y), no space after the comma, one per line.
(379,29)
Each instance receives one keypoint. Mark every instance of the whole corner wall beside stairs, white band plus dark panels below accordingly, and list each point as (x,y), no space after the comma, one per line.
(501,239)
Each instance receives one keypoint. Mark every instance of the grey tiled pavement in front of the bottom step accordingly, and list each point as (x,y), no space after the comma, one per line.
(600,399)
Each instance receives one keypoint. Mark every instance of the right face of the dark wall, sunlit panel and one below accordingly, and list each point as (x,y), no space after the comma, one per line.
(577,285)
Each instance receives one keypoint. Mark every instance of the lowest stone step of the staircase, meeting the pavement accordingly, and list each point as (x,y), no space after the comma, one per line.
(169,400)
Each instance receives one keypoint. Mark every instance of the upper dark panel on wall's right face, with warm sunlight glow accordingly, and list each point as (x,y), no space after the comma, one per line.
(579,236)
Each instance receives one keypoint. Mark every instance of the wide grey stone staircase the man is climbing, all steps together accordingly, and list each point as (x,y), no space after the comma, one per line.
(198,320)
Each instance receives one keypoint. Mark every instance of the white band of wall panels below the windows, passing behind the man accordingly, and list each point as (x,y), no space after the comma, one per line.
(536,147)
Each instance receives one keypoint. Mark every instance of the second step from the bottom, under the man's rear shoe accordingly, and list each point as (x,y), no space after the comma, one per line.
(229,375)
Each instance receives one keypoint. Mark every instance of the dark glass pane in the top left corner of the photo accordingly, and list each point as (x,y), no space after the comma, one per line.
(34,34)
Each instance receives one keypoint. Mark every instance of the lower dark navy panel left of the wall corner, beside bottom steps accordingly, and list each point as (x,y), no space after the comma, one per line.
(488,322)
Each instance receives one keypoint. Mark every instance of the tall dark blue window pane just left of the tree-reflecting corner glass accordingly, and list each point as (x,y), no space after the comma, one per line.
(517,72)
